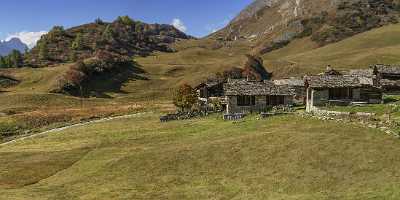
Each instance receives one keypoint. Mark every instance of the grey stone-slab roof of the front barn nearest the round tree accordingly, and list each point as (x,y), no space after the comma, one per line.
(254,88)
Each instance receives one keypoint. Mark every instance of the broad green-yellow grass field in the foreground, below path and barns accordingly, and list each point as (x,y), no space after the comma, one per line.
(284,157)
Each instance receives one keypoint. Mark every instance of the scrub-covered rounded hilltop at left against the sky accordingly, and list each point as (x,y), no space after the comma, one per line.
(123,36)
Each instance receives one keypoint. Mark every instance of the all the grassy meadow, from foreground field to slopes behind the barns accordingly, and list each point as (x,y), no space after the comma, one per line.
(285,157)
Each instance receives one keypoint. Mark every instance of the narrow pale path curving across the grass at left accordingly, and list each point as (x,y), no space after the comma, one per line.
(71,126)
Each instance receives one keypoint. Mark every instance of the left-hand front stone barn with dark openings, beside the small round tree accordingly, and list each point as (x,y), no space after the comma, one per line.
(244,96)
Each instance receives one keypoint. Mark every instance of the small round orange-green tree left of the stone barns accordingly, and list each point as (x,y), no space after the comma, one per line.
(184,97)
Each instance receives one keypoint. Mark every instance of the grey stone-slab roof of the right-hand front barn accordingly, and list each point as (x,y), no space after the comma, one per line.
(338,81)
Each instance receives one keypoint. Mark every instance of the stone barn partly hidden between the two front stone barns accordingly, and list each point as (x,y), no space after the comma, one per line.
(297,86)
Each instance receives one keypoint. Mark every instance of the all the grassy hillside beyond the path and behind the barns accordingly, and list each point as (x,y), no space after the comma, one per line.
(194,62)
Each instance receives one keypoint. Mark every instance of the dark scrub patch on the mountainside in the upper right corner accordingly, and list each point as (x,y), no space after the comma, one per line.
(350,19)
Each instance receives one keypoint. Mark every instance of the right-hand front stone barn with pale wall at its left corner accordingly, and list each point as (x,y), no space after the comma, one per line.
(325,90)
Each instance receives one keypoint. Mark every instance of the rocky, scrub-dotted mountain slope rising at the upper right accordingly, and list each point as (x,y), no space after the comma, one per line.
(271,24)
